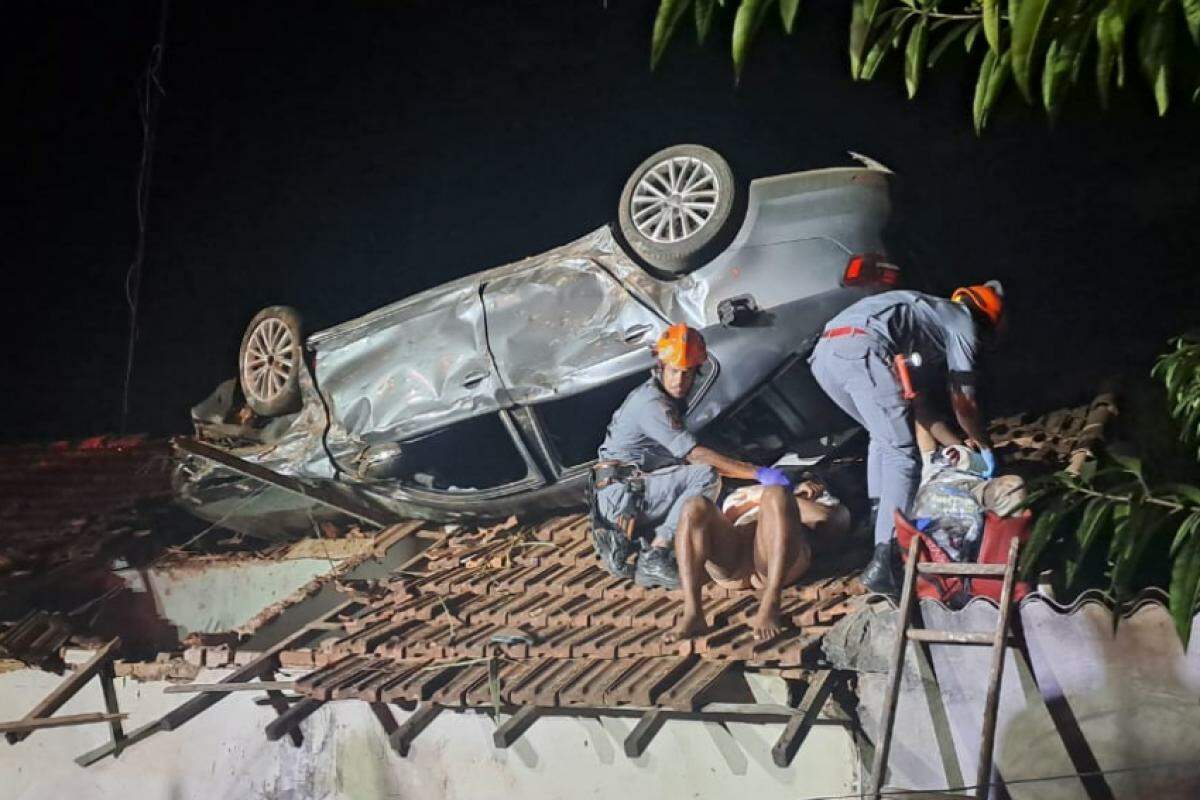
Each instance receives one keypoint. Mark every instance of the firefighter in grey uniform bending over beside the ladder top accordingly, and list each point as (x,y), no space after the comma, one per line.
(855,363)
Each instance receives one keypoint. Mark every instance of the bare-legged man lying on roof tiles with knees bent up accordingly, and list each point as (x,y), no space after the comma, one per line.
(740,551)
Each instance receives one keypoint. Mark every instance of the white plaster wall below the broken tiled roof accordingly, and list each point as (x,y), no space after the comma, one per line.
(224,755)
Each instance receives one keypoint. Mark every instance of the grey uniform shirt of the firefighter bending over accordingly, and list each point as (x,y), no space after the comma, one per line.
(911,322)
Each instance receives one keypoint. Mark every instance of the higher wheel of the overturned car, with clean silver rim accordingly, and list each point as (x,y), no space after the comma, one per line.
(668,236)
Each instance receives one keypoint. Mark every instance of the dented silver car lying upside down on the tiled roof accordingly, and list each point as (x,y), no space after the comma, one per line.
(490,395)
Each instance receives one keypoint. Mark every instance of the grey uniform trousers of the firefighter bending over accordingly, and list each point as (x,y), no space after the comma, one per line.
(855,374)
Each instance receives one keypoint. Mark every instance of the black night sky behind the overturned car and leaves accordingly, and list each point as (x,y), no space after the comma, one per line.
(338,160)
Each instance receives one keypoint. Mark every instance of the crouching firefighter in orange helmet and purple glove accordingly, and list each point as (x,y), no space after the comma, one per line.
(651,465)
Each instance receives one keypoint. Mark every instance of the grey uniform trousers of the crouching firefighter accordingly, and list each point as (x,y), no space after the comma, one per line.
(665,492)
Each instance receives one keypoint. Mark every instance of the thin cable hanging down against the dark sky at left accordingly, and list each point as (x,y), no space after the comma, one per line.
(149,94)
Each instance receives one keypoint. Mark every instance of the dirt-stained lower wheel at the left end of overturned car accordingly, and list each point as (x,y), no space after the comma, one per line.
(269,362)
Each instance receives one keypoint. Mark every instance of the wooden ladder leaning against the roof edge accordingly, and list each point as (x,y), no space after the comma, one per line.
(997,639)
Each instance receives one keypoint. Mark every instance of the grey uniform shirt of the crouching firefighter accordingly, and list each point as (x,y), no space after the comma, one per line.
(649,430)
